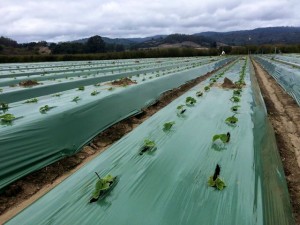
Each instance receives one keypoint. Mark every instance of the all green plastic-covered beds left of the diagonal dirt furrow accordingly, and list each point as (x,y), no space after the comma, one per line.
(43,125)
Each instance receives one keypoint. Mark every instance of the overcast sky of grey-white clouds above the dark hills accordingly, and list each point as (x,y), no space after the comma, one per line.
(63,20)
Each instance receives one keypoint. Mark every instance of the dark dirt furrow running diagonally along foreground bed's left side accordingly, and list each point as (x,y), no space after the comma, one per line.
(28,189)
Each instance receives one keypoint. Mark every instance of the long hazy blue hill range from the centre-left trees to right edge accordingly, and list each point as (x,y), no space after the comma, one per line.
(268,35)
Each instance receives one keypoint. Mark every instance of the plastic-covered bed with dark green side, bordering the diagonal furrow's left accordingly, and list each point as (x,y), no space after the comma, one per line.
(38,140)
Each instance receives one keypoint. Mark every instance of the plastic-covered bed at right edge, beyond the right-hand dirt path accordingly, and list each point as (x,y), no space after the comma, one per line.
(288,78)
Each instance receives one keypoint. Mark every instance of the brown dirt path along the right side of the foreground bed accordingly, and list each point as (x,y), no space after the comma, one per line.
(284,114)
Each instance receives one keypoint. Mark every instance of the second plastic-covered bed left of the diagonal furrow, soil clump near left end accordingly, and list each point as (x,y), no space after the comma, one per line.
(70,79)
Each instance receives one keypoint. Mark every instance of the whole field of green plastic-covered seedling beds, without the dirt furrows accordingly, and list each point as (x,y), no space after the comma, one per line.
(209,156)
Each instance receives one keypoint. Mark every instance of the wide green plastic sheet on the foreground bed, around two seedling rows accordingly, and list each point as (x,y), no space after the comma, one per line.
(169,185)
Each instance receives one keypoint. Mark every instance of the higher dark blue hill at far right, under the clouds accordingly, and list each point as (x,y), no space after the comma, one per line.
(268,35)
